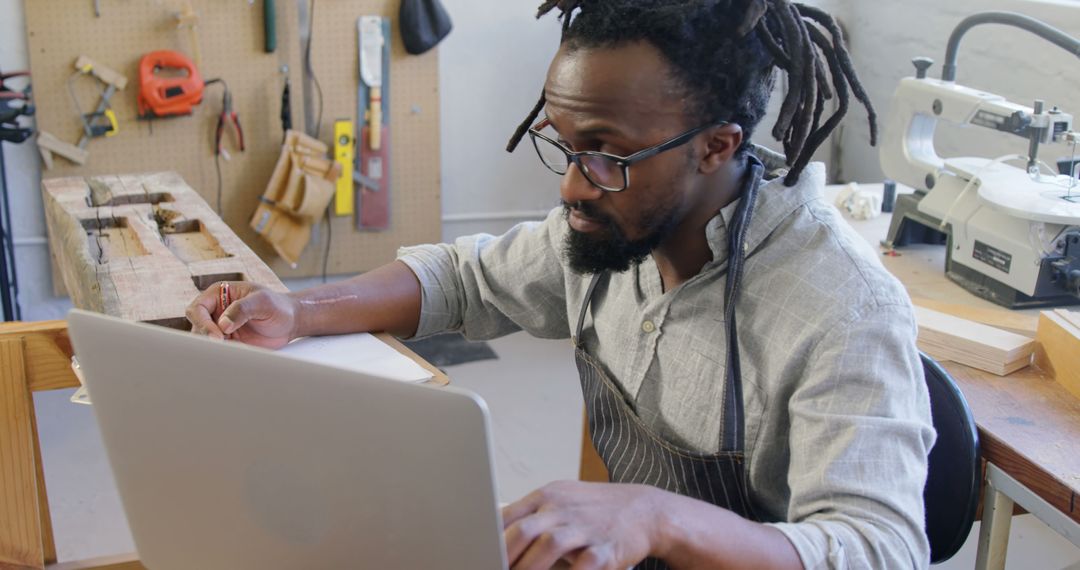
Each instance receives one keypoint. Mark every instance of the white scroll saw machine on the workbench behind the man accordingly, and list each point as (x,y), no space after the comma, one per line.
(1012,234)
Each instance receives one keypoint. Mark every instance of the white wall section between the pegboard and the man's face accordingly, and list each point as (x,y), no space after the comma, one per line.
(492,72)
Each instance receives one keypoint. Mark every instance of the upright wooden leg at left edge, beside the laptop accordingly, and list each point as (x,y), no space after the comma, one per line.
(21,540)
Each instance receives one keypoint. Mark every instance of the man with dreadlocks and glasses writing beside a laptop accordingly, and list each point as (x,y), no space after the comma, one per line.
(798,439)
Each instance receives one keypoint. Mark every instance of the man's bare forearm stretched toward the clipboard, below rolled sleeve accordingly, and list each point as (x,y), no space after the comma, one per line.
(385,300)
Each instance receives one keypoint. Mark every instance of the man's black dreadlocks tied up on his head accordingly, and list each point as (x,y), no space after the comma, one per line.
(724,53)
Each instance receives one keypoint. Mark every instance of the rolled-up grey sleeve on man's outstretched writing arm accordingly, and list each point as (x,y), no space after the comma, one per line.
(487,287)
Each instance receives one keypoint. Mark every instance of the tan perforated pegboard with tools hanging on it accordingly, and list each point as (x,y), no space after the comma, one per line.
(232,47)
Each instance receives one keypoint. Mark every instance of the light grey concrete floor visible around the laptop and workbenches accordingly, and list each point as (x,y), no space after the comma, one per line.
(536,410)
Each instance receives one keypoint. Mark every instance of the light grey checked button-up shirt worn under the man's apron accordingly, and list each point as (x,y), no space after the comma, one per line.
(838,413)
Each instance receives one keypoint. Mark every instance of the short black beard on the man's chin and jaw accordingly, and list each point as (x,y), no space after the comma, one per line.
(609,250)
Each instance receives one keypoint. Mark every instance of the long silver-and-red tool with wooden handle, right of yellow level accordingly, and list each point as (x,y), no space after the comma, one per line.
(373,145)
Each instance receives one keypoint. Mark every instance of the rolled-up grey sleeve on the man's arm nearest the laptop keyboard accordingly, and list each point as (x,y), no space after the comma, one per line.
(860,436)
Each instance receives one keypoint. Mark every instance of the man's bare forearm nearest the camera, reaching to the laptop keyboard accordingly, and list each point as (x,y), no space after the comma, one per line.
(697,535)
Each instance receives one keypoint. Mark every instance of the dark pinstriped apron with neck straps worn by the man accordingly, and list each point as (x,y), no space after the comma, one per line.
(636,454)
